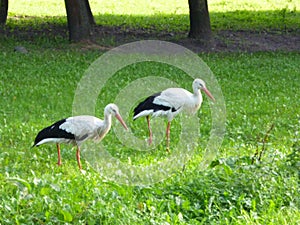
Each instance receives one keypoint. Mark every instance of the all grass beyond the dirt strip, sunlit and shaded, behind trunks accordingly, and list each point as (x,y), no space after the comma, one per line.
(171,16)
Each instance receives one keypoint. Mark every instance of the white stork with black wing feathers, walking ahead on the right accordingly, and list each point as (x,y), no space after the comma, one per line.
(169,103)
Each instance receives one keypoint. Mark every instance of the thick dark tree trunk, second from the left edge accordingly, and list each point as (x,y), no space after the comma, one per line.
(80,19)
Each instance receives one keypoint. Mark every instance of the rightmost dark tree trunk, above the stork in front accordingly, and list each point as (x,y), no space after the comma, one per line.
(199,20)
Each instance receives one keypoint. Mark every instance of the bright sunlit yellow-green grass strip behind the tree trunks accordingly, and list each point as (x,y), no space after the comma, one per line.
(139,7)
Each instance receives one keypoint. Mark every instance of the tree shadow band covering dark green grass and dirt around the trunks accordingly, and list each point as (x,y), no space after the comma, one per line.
(233,31)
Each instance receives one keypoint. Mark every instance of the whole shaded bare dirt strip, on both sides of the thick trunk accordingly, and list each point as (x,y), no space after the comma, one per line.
(105,38)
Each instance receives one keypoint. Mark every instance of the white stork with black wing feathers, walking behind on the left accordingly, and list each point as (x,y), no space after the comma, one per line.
(75,130)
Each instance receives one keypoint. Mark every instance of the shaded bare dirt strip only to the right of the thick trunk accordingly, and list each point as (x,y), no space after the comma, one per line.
(223,41)
